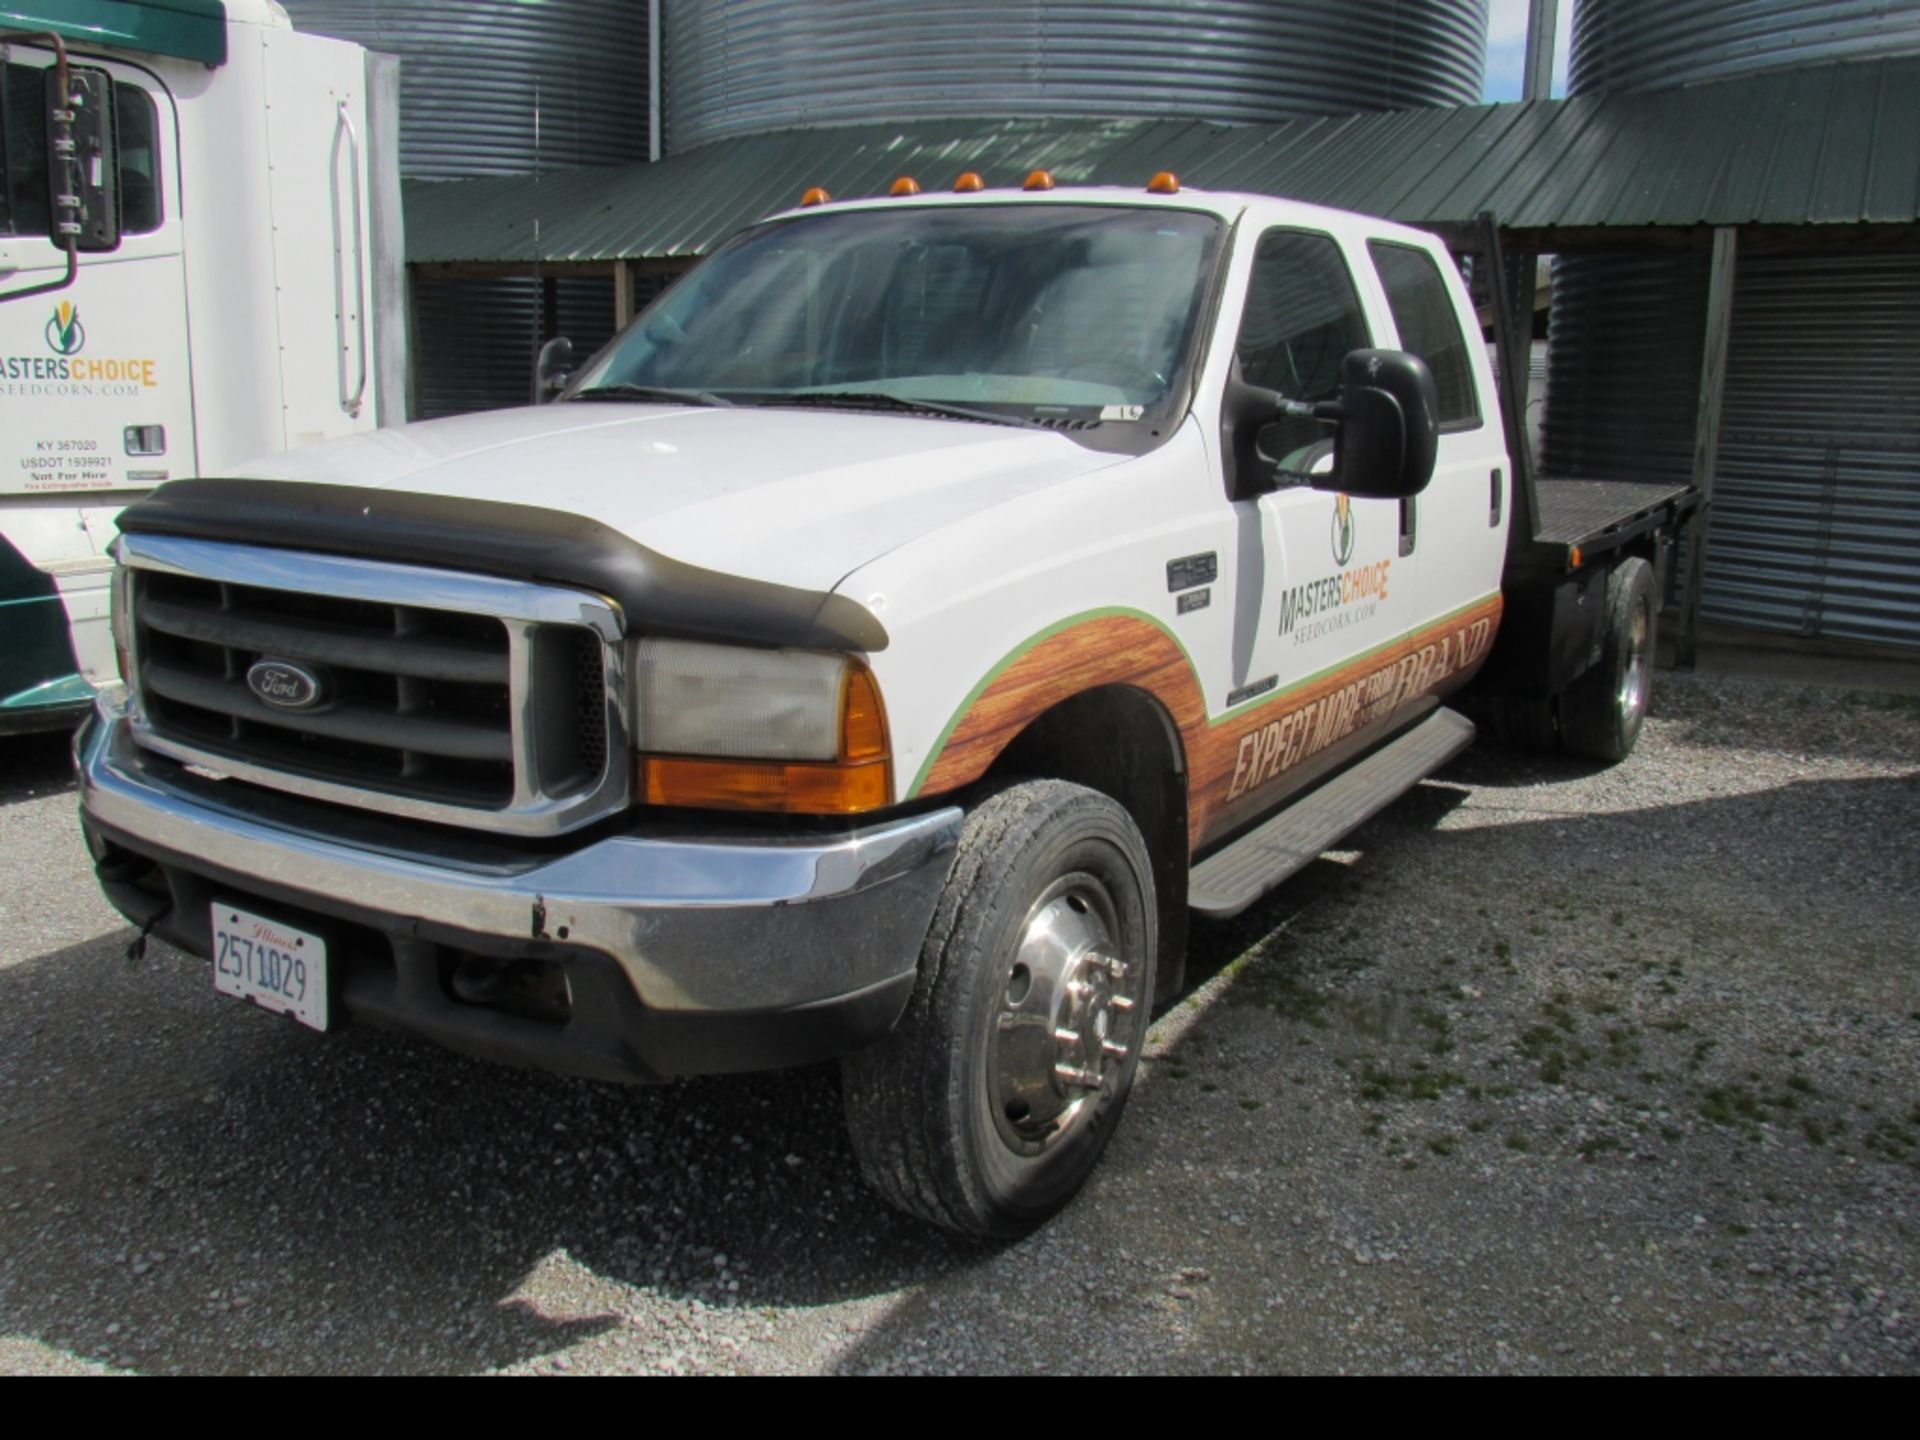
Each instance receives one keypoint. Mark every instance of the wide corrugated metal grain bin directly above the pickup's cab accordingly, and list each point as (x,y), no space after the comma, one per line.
(738,66)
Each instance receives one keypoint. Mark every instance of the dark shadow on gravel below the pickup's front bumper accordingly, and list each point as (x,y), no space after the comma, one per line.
(220,1191)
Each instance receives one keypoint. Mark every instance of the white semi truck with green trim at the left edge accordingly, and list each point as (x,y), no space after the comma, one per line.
(201,262)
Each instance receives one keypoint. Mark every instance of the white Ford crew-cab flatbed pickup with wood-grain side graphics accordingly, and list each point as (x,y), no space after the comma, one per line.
(875,654)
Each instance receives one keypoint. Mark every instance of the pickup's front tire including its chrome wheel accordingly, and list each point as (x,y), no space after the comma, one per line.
(994,1099)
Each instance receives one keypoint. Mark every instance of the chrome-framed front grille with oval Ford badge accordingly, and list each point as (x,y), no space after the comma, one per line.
(439,696)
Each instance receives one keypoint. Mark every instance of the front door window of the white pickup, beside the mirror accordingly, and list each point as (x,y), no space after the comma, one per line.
(1303,318)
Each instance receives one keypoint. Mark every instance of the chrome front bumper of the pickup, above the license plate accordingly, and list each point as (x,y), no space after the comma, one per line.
(702,924)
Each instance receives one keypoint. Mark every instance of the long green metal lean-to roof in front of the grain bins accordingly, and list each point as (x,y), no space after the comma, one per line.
(1833,145)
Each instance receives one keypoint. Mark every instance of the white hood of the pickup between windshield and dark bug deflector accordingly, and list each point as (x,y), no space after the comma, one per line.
(798,498)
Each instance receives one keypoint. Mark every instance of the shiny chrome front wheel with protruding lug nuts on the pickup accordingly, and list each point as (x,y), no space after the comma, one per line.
(1068,1020)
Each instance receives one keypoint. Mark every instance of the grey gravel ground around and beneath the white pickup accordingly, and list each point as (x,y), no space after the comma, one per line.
(1554,1070)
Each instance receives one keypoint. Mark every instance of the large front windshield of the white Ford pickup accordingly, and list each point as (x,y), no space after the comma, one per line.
(1003,312)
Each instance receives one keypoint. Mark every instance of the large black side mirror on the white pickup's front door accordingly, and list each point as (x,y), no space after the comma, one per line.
(1387,437)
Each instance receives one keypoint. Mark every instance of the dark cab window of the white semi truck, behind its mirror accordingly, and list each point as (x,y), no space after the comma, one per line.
(24,189)
